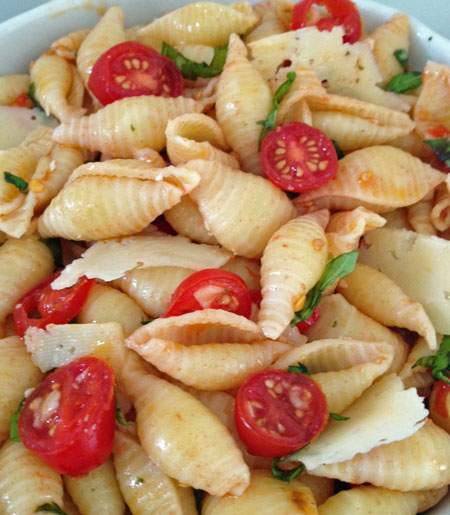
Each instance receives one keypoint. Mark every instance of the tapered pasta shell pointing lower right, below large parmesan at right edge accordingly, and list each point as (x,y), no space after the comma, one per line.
(379,297)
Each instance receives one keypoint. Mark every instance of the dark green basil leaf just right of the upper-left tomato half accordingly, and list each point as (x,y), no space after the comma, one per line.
(191,69)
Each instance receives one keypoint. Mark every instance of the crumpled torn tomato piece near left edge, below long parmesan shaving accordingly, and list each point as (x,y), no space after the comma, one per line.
(54,306)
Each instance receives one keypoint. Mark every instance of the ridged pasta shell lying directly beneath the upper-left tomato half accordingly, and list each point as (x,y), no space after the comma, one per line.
(127,125)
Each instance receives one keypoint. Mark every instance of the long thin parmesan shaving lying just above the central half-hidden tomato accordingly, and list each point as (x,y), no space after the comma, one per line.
(109,260)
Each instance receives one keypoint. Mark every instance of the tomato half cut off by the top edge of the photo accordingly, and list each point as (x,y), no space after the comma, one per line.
(339,12)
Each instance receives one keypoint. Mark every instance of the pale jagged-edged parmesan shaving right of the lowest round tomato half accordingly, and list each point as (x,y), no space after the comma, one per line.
(378,417)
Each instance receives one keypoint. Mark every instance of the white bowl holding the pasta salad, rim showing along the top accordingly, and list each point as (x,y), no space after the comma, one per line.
(26,36)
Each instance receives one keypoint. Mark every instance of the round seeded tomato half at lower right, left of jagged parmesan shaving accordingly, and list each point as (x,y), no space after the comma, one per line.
(278,412)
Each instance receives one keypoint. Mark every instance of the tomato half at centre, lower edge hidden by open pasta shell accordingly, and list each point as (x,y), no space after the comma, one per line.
(215,289)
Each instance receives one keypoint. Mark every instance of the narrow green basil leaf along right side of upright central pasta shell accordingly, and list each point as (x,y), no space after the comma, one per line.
(336,269)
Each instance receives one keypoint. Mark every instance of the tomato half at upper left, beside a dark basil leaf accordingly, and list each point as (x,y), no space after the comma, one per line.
(131,69)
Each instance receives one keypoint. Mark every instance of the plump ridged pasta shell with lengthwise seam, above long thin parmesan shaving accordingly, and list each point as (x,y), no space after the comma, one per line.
(114,198)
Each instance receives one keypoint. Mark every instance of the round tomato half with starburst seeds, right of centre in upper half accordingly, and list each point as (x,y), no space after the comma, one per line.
(297,157)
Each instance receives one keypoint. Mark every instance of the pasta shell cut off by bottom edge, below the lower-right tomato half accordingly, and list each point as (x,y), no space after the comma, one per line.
(265,496)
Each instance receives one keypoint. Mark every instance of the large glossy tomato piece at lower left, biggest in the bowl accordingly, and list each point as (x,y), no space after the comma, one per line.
(69,420)
